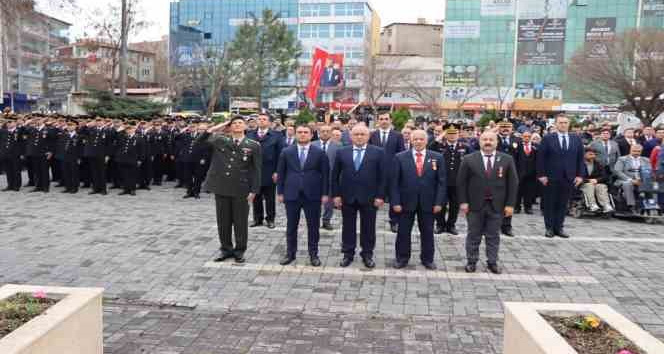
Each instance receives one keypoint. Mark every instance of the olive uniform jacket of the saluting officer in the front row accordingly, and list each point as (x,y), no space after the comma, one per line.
(236,169)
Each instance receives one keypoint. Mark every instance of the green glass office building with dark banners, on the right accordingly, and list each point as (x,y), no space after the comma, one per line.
(517,49)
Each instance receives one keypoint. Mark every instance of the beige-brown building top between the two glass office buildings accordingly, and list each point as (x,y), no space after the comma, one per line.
(421,39)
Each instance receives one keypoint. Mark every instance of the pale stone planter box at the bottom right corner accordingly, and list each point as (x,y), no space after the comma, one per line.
(527,332)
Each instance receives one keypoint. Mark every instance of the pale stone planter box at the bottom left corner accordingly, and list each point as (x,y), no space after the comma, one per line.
(71,326)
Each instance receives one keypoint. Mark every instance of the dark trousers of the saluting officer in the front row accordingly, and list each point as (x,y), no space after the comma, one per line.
(232,215)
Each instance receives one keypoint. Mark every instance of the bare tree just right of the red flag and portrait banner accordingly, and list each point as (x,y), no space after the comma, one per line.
(380,75)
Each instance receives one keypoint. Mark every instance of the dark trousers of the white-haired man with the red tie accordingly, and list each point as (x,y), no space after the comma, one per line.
(425,224)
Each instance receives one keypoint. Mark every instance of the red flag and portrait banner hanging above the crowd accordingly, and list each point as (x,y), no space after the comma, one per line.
(327,73)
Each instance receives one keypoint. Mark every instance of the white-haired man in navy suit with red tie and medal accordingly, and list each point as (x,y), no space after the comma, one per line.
(418,187)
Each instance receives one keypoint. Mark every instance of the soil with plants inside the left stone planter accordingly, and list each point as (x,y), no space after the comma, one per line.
(17,310)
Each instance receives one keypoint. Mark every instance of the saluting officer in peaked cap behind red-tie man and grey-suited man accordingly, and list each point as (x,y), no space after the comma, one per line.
(447,143)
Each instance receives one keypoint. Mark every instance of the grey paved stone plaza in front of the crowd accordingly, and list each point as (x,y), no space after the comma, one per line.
(153,255)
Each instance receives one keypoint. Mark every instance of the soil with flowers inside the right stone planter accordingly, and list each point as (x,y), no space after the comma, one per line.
(601,340)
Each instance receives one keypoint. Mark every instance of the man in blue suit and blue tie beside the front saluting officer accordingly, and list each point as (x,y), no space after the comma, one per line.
(303,184)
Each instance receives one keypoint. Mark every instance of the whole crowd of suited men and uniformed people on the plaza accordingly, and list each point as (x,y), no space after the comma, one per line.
(431,170)
